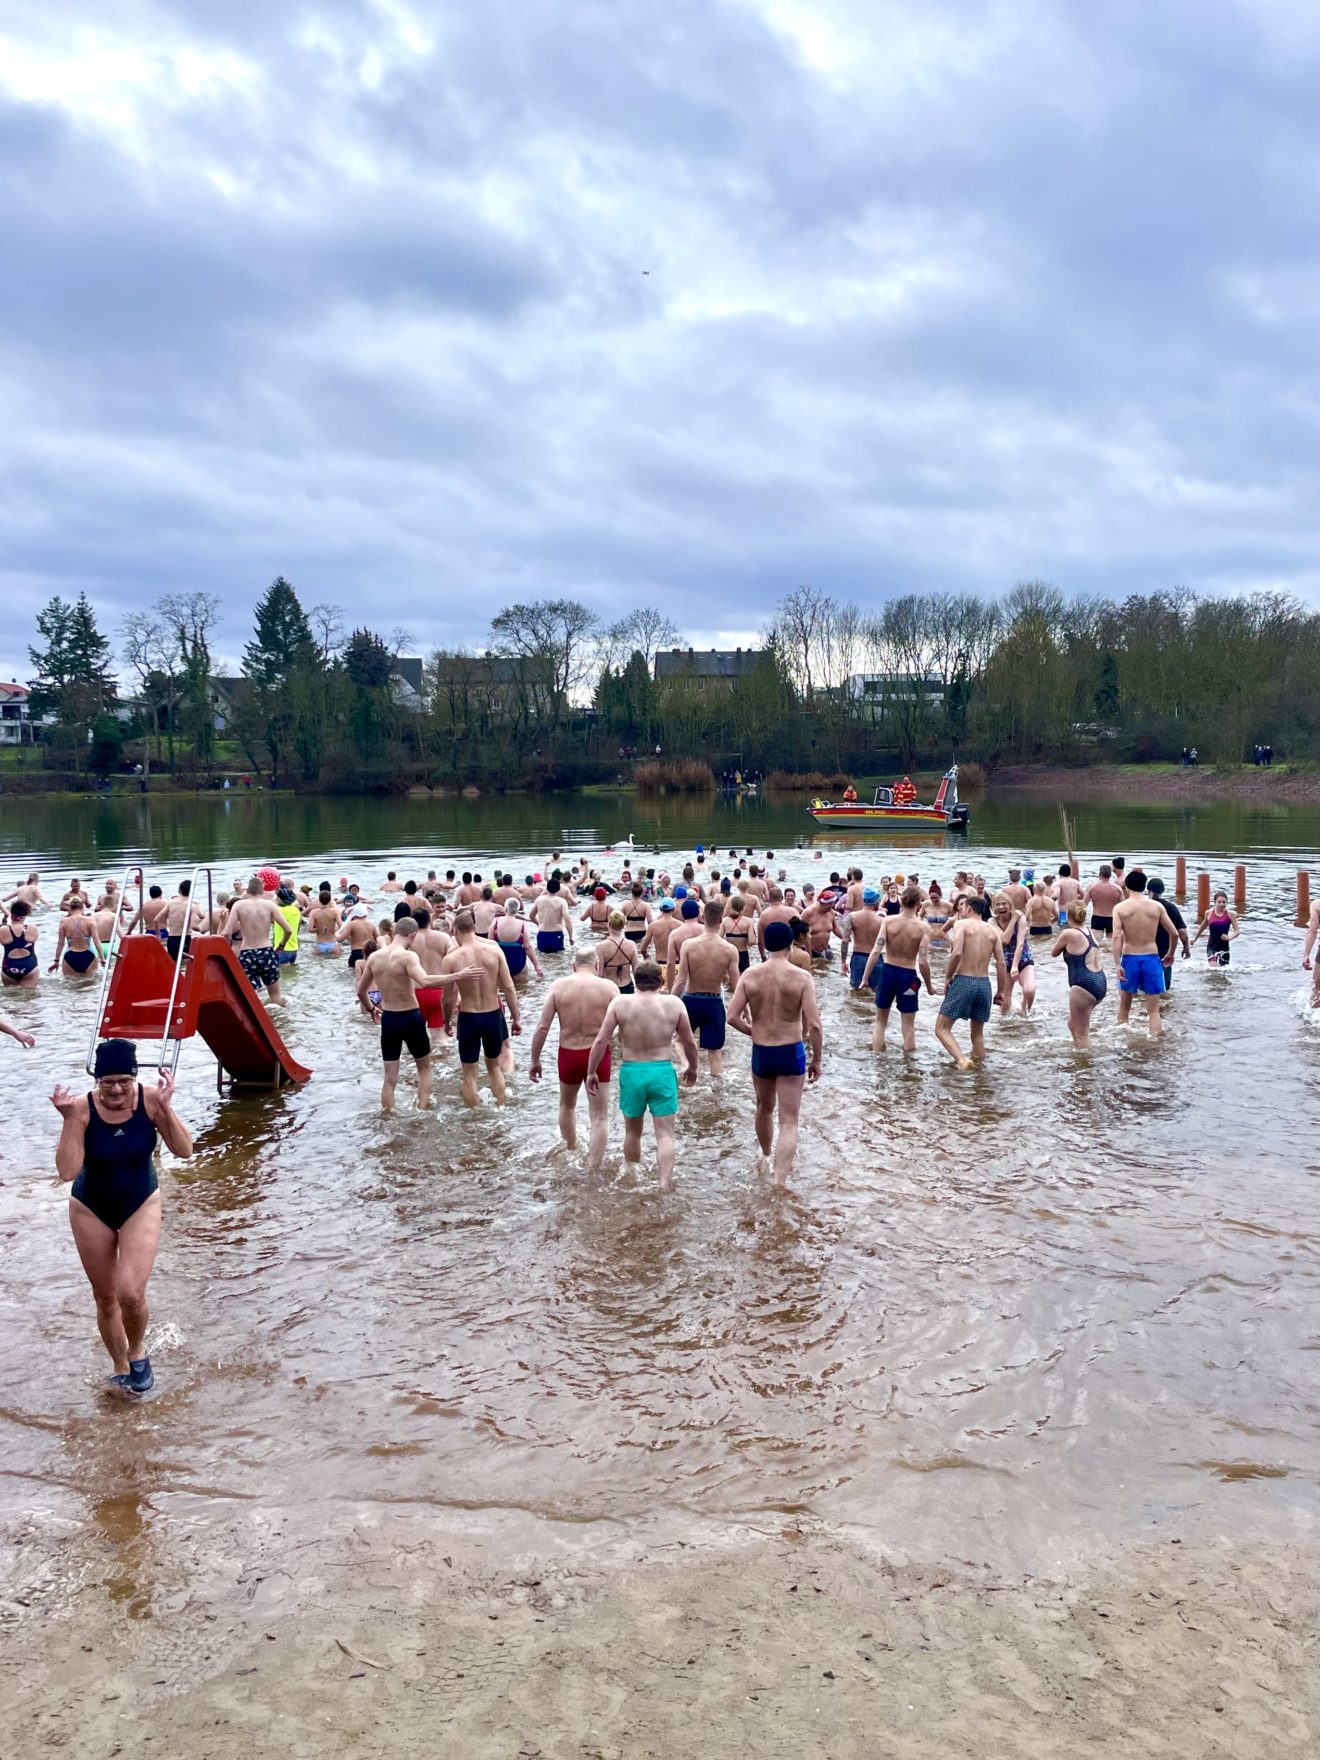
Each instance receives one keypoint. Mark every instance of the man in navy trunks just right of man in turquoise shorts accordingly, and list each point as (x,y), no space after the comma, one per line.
(775,1006)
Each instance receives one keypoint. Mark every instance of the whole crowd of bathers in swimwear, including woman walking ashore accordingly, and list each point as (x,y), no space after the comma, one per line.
(647,974)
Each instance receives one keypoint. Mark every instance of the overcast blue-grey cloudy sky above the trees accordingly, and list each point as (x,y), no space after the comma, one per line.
(439,307)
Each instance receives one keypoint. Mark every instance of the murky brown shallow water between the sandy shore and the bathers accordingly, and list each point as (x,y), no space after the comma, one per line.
(999,1316)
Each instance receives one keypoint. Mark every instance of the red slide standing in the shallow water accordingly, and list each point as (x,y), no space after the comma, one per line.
(214,999)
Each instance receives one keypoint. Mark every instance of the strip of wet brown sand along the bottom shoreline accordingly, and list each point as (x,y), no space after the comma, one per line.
(796,1645)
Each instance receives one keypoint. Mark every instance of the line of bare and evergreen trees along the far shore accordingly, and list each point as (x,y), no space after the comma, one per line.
(559,694)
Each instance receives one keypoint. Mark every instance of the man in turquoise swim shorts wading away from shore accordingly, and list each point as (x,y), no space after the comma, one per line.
(647,1023)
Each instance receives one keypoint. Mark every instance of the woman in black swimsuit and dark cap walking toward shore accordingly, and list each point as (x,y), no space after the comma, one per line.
(106,1148)
